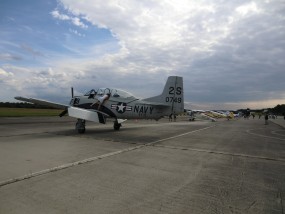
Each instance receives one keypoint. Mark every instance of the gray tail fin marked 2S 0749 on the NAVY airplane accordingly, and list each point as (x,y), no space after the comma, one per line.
(172,95)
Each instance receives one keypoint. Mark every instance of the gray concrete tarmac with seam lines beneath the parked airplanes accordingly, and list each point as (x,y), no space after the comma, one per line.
(235,166)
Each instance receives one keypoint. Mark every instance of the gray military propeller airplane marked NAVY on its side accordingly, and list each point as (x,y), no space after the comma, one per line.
(97,105)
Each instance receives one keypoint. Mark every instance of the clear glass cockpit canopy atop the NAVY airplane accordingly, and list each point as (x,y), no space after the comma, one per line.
(117,93)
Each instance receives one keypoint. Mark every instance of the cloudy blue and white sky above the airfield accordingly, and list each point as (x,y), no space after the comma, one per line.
(231,54)
